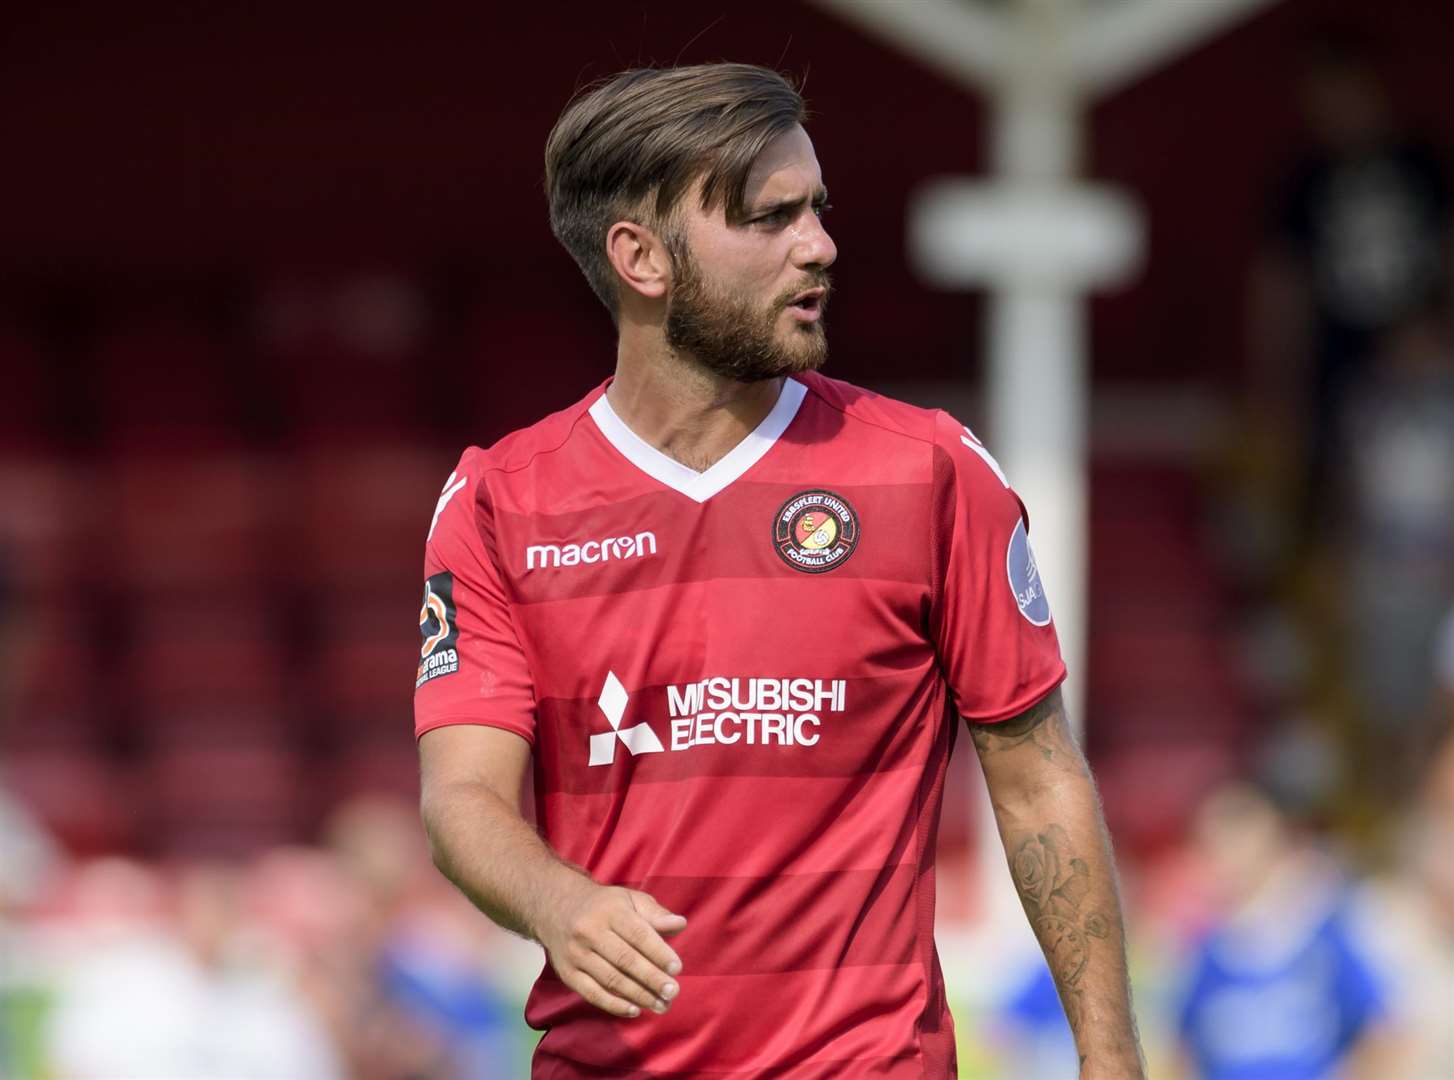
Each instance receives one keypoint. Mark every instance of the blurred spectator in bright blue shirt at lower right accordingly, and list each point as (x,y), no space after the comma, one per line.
(1280,985)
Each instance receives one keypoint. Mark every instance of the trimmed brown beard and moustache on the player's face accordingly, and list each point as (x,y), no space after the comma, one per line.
(736,339)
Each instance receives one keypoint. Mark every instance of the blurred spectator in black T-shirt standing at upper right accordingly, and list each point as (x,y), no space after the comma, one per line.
(1362,235)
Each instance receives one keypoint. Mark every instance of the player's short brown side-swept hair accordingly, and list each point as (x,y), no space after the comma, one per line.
(636,143)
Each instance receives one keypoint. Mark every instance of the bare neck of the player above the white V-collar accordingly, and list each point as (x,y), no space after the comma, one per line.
(684,411)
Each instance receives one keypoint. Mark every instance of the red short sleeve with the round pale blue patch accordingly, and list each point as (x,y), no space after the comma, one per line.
(991,618)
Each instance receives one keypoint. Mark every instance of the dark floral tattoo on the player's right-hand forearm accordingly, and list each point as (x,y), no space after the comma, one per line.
(1053,889)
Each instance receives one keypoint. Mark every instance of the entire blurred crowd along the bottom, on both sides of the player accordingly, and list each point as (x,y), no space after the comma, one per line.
(1263,947)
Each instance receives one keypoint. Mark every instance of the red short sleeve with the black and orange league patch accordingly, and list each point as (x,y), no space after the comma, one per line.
(472,668)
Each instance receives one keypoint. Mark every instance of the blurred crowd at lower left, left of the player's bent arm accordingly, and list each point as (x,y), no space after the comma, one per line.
(351,959)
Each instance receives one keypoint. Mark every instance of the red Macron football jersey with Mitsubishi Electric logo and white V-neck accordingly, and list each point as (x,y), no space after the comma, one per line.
(742,691)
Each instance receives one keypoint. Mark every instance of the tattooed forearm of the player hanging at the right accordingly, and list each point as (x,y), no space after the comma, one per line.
(1064,870)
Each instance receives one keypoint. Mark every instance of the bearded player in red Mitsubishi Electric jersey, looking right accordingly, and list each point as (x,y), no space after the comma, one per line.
(728,614)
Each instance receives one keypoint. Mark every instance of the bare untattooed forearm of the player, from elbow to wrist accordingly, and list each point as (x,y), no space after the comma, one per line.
(495,857)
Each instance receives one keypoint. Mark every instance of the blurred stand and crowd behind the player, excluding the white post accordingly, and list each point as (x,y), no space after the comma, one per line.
(265,270)
